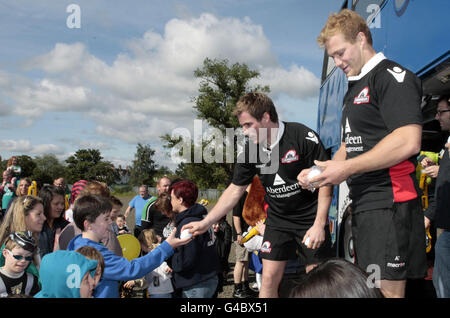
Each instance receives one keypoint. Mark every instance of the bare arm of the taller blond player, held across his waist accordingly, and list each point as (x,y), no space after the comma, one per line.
(396,147)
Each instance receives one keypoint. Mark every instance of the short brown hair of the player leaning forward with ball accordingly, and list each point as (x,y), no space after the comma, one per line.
(256,104)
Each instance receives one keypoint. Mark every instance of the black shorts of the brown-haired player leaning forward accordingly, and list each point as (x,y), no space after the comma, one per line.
(284,244)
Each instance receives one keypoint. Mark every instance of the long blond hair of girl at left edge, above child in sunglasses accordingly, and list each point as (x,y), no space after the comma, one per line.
(14,220)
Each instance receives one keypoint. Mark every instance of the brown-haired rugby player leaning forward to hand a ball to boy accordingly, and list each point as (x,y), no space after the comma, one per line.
(296,218)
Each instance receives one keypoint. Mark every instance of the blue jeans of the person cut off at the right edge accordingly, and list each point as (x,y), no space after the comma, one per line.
(441,272)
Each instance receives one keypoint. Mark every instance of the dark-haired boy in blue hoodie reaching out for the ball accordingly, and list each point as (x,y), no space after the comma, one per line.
(91,215)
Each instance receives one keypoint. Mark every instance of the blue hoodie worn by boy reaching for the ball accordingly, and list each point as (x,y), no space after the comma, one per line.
(119,268)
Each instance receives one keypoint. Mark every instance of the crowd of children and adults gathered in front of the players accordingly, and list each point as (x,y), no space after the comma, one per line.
(54,246)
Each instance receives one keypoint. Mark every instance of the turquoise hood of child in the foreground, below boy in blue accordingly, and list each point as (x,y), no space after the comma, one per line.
(57,272)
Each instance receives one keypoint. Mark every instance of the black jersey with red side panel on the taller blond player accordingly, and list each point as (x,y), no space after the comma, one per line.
(384,97)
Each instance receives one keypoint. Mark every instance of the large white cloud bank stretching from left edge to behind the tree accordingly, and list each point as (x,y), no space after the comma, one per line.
(146,91)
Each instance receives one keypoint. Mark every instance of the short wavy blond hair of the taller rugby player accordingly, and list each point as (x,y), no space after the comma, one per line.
(348,23)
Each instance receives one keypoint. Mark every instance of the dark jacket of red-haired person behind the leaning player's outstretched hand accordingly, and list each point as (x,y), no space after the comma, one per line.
(196,261)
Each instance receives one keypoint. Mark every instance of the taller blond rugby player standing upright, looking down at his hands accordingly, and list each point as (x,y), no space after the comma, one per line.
(381,136)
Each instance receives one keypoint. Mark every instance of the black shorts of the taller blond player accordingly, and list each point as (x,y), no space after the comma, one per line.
(392,239)
